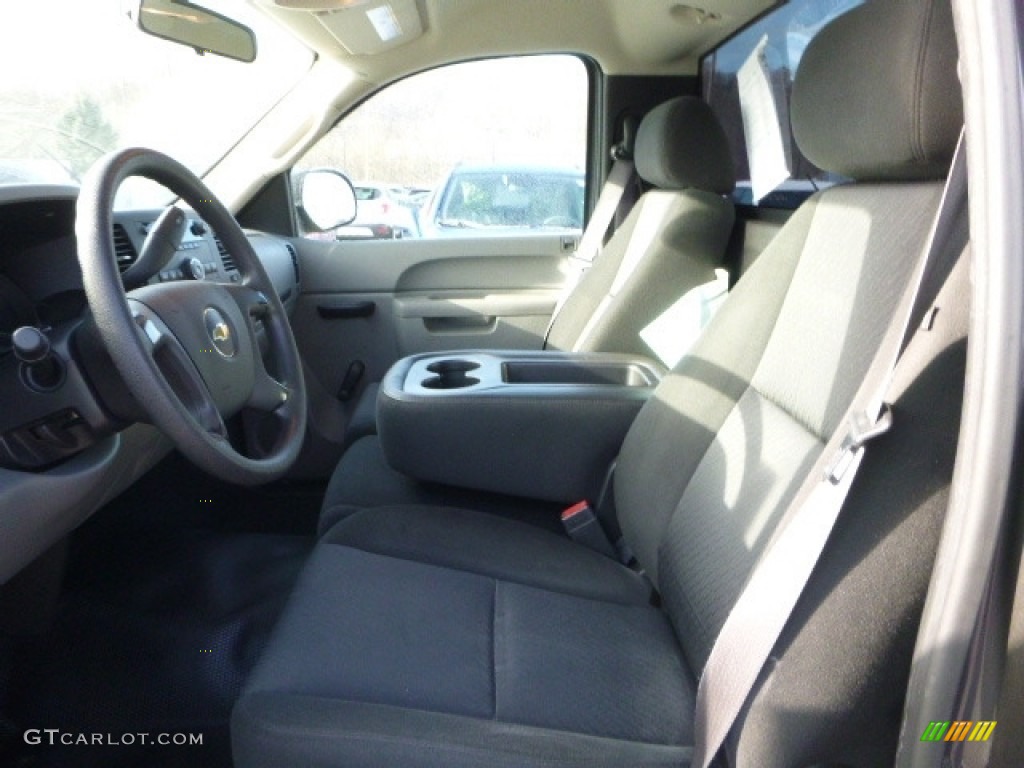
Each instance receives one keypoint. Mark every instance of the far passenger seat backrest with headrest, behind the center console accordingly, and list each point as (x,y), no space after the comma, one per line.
(672,241)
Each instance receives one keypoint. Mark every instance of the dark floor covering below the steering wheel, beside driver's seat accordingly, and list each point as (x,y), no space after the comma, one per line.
(169,598)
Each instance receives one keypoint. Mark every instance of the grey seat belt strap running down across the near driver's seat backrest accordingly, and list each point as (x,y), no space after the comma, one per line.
(764,607)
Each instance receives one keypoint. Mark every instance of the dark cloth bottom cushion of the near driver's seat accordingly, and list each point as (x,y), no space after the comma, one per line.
(513,644)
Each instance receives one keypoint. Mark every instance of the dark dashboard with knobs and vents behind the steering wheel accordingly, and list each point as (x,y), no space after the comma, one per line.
(64,450)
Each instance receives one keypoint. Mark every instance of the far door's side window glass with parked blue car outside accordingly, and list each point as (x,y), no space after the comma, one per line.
(489,148)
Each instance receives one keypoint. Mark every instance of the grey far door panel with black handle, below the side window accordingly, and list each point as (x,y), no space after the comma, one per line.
(372,303)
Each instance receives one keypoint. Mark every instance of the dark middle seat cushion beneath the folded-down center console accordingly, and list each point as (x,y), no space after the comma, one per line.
(364,480)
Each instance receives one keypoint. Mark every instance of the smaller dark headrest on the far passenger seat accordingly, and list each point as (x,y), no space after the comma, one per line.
(681,145)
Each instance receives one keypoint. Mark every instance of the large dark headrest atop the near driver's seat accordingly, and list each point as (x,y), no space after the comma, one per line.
(877,96)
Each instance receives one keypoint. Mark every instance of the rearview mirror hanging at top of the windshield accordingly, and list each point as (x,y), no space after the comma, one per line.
(207,32)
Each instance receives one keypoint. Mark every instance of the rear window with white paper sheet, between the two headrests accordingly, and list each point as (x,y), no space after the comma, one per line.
(778,42)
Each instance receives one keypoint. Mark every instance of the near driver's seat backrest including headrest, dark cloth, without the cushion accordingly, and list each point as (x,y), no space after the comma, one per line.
(715,456)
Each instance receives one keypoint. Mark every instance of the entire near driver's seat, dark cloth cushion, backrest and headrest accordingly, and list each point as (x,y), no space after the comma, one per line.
(430,636)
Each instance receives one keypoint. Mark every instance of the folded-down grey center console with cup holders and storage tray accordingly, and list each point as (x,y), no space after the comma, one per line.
(542,425)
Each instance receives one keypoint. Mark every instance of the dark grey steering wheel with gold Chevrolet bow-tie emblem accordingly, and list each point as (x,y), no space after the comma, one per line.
(188,351)
